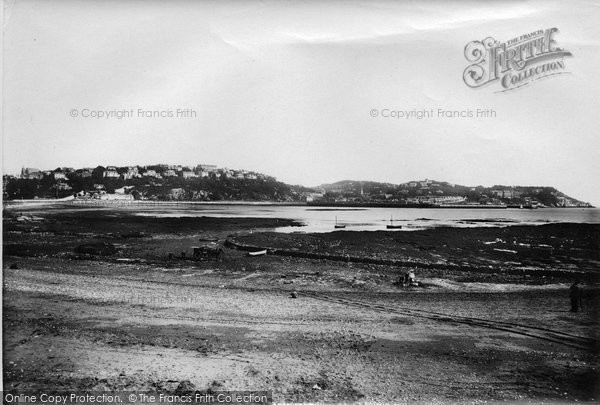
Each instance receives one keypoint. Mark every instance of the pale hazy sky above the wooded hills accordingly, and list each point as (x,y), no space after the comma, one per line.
(289,89)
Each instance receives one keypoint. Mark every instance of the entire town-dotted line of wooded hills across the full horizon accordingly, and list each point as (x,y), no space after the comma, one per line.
(204,182)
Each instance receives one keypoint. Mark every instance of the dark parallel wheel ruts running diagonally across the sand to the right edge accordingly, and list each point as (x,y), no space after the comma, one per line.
(566,339)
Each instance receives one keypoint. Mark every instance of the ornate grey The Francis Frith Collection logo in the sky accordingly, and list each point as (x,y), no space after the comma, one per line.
(514,63)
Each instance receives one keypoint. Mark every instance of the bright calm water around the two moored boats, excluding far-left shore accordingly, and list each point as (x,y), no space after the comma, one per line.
(317,219)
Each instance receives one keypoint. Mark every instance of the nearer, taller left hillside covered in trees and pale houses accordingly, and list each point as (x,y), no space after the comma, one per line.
(155,182)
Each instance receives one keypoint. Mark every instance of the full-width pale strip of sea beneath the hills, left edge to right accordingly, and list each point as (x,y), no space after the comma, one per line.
(324,219)
